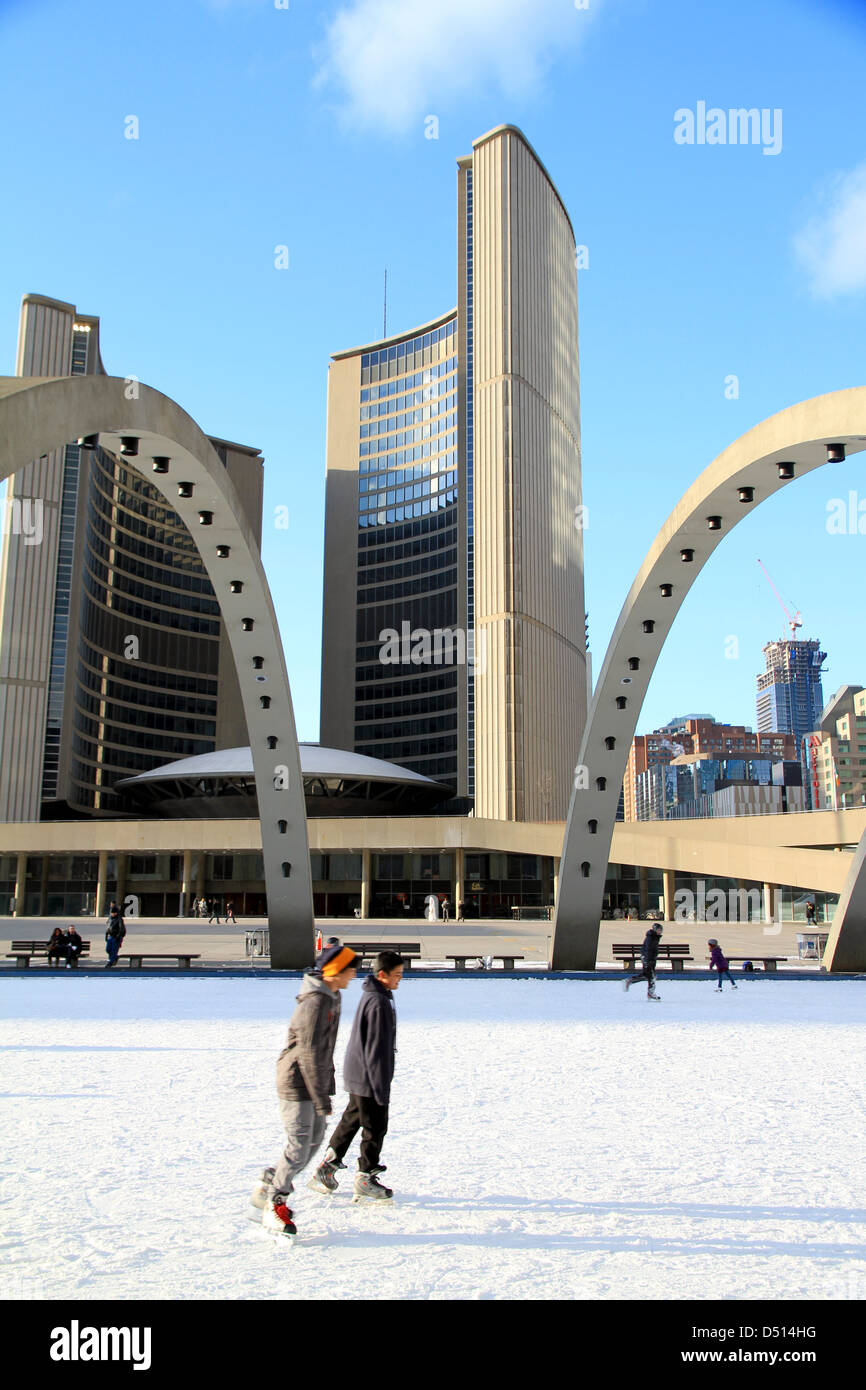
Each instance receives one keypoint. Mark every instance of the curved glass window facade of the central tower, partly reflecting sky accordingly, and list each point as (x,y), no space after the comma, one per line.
(407,708)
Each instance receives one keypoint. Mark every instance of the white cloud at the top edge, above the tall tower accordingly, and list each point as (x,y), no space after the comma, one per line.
(394,62)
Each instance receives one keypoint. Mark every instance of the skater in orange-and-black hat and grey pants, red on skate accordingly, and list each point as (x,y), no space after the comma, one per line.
(305,1082)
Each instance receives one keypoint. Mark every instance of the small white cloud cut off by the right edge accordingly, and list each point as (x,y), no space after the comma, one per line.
(832,248)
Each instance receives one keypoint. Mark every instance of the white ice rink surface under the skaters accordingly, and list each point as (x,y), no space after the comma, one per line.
(548,1140)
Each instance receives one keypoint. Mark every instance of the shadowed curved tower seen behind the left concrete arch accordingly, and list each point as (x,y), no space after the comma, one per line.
(99,561)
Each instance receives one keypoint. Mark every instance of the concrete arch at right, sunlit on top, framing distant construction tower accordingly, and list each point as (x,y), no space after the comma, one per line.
(744,476)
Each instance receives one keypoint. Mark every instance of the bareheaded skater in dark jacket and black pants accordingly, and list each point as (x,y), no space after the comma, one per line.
(368,1075)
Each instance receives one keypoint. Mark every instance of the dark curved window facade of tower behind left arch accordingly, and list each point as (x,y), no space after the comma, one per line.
(148,643)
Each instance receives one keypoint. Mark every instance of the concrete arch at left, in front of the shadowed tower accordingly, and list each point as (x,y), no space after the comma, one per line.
(42,415)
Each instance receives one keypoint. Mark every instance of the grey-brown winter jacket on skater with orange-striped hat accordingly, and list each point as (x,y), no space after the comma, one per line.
(305,1068)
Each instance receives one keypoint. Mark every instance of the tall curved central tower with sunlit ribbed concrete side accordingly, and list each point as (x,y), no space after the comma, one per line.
(454,600)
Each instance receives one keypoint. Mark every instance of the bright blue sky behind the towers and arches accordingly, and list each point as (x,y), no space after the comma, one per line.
(305,126)
